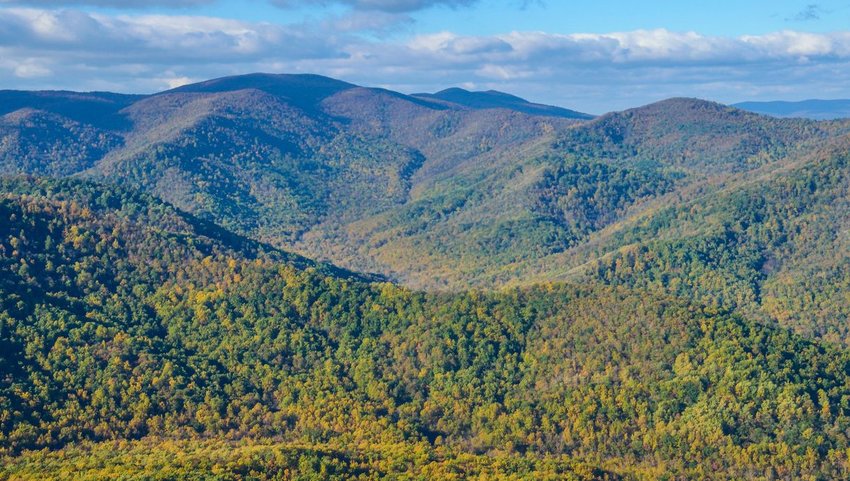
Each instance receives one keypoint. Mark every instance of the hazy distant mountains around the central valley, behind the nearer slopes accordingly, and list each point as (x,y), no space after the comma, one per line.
(440,191)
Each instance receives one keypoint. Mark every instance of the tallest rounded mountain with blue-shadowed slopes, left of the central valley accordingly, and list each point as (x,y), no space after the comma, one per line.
(295,160)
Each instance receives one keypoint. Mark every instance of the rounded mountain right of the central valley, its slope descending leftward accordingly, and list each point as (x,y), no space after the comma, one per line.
(487,220)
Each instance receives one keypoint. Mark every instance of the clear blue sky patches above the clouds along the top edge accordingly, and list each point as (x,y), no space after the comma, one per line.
(718,17)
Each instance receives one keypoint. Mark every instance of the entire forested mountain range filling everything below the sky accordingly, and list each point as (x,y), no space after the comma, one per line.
(486,285)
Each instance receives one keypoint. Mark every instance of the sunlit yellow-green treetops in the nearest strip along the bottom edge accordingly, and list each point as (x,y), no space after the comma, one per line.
(261,461)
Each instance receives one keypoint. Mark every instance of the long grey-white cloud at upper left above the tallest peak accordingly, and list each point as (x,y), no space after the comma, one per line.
(154,38)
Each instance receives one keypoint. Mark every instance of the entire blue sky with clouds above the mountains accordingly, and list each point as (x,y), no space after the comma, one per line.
(594,56)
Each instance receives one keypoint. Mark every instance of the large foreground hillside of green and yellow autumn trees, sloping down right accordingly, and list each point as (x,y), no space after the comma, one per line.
(124,319)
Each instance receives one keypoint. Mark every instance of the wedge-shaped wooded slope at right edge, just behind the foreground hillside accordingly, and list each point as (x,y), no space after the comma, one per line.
(776,249)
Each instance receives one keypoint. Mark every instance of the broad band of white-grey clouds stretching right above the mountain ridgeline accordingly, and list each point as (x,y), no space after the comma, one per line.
(72,49)
